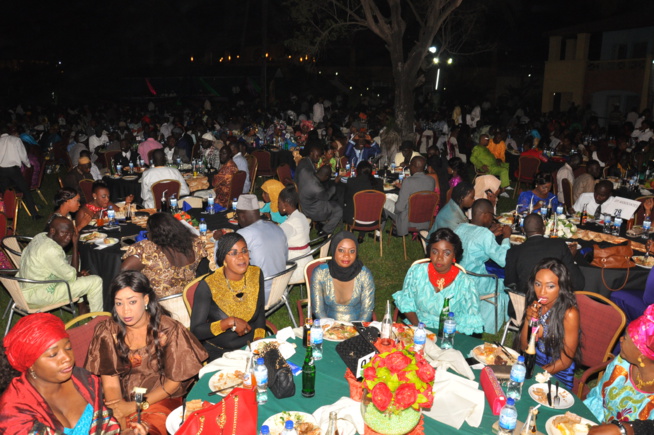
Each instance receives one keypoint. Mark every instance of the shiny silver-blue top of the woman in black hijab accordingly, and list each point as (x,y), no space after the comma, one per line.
(323,298)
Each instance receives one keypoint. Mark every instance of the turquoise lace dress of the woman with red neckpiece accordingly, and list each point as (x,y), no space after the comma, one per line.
(419,296)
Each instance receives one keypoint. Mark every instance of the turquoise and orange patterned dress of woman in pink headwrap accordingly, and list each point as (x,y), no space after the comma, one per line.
(616,397)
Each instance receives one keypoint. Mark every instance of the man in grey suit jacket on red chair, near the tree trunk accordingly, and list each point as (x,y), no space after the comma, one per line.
(417,182)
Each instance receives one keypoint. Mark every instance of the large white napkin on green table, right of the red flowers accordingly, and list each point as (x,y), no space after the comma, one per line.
(456,400)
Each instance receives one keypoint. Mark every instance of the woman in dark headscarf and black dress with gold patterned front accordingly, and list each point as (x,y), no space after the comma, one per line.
(228,309)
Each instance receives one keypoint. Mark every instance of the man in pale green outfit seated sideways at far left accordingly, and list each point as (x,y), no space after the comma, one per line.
(44,259)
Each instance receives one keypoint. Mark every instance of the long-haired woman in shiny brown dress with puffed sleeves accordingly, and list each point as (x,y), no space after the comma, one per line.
(142,347)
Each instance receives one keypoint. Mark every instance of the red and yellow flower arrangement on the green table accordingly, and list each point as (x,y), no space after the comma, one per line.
(398,380)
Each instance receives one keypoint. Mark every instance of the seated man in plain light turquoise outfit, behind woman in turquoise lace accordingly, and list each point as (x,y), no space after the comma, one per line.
(479,246)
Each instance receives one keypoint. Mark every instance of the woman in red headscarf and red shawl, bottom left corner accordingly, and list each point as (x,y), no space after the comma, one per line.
(50,394)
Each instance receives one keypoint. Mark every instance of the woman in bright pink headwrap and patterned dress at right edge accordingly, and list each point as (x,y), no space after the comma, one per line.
(626,391)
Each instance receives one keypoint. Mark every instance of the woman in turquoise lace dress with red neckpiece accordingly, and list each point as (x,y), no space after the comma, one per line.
(427,285)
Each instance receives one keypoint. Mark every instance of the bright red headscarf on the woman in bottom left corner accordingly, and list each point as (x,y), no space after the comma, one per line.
(32,335)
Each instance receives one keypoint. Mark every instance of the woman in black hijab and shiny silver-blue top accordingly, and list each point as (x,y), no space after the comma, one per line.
(343,288)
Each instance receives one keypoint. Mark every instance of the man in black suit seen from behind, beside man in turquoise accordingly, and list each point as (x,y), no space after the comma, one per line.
(521,259)
